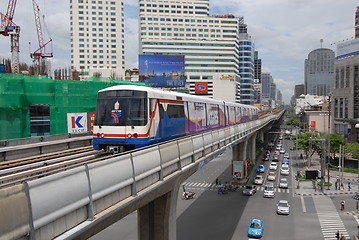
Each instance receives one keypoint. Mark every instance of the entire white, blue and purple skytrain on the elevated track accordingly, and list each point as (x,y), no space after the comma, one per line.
(129,117)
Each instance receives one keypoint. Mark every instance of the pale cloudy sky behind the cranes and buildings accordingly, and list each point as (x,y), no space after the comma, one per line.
(284,32)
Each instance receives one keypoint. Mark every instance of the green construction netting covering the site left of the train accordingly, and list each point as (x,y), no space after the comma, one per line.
(18,92)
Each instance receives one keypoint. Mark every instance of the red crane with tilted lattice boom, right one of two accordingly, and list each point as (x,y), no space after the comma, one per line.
(41,53)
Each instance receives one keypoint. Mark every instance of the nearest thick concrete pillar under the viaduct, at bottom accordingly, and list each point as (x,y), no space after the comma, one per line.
(157,219)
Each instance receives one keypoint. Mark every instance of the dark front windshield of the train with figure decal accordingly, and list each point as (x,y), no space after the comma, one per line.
(121,108)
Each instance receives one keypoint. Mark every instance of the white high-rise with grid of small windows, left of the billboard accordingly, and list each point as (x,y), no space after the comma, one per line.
(97,38)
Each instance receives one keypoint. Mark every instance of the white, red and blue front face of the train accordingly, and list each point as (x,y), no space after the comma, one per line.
(121,120)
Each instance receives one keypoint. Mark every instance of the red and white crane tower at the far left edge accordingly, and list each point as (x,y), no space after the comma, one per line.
(9,28)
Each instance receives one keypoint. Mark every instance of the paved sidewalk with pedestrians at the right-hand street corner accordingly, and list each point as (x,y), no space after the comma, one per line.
(306,187)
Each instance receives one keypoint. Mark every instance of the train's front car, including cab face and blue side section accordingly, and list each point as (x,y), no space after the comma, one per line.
(129,117)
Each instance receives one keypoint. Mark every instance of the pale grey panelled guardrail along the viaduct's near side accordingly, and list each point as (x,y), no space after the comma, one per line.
(51,206)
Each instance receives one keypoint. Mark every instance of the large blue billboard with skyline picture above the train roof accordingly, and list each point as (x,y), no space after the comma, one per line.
(166,71)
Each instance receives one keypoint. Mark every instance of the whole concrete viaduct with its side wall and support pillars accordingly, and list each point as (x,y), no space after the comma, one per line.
(80,202)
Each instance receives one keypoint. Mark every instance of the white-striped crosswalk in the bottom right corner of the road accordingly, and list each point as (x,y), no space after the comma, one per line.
(330,221)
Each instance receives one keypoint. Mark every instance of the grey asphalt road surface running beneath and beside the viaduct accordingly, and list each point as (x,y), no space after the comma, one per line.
(215,216)
